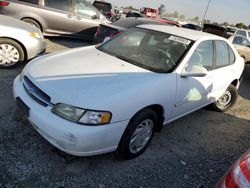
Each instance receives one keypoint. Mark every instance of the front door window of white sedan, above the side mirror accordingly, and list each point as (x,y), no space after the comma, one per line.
(203,55)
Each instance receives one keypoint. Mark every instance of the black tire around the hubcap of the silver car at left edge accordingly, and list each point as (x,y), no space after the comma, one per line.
(17,47)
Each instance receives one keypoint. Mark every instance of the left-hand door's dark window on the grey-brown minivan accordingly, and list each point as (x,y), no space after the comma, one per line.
(63,5)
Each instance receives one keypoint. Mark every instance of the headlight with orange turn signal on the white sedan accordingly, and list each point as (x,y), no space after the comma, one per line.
(78,115)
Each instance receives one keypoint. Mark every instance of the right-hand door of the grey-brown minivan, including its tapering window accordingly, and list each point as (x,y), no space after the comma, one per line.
(87,19)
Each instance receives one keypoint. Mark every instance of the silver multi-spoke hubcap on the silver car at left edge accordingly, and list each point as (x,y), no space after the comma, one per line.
(9,55)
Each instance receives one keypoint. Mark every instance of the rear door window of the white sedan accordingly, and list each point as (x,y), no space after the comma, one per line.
(222,53)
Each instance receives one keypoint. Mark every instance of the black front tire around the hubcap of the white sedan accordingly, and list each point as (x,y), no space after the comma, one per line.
(124,148)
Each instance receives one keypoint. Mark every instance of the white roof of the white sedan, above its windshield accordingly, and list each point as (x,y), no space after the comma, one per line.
(182,32)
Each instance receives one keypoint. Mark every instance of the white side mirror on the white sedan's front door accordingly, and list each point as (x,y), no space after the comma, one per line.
(194,71)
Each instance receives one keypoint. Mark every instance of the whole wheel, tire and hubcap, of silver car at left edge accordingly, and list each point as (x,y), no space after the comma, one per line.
(10,53)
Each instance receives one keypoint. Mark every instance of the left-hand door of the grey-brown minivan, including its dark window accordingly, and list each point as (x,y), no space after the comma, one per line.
(58,15)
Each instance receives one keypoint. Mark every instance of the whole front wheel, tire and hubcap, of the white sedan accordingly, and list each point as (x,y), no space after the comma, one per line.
(137,135)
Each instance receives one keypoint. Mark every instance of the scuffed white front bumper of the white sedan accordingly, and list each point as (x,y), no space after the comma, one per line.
(67,136)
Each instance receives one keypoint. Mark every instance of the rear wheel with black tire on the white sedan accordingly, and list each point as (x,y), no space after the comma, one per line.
(230,96)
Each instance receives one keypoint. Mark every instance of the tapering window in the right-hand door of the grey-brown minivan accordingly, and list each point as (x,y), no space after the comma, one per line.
(85,9)
